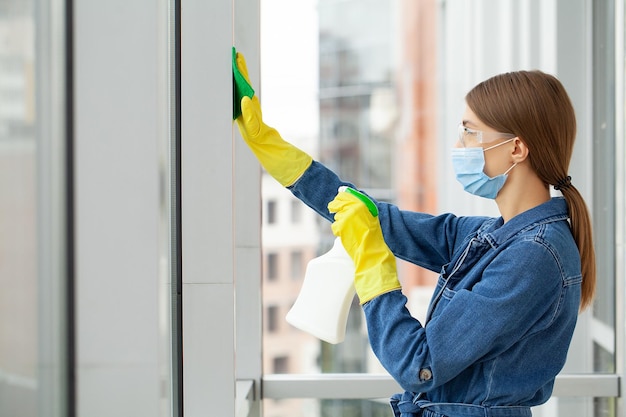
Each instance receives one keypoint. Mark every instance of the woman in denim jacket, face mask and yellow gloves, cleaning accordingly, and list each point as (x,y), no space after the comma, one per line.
(510,288)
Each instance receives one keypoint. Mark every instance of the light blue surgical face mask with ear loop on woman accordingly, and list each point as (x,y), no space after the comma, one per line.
(469,165)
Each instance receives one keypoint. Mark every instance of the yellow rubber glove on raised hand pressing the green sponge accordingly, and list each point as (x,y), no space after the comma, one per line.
(283,161)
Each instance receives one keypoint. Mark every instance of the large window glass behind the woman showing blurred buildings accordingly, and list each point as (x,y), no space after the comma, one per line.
(380,87)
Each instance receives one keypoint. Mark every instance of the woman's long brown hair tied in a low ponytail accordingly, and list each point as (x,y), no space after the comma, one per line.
(536,108)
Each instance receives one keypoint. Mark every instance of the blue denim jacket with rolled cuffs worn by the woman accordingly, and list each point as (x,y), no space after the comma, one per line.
(502,314)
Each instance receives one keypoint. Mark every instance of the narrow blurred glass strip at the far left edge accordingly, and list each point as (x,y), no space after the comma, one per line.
(18,208)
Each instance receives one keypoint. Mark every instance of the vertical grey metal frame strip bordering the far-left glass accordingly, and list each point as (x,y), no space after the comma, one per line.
(56,344)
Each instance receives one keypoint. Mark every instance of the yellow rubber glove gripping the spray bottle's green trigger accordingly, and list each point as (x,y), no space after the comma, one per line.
(356,222)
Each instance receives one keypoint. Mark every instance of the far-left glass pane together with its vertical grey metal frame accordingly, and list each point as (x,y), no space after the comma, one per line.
(33,321)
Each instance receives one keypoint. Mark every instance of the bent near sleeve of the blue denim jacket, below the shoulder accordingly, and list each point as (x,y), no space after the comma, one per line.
(510,303)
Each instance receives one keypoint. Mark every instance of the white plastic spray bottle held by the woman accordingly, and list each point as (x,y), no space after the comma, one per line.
(322,306)
